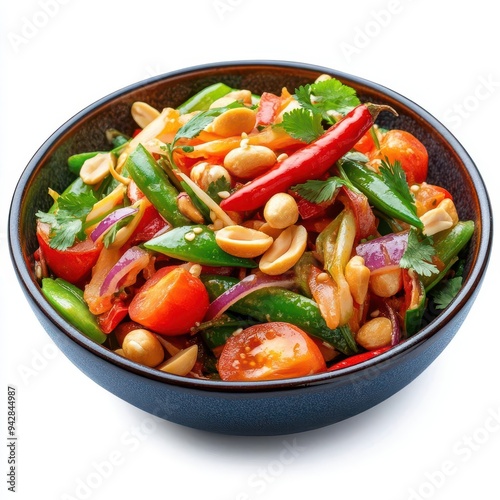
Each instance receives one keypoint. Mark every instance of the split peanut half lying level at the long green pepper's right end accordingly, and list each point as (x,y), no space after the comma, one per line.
(242,241)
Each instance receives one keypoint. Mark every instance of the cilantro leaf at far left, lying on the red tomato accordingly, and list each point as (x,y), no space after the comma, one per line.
(66,223)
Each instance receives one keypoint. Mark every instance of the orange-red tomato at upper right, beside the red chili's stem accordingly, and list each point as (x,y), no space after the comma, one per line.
(408,150)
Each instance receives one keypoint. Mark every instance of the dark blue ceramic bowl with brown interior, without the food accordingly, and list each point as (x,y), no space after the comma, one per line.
(249,408)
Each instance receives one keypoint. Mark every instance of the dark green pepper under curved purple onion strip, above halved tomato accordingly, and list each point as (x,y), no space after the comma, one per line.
(279,304)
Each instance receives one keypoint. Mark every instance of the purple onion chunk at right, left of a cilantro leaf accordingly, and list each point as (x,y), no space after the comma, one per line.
(384,251)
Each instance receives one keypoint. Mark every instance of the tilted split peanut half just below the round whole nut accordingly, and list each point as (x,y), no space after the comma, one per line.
(285,252)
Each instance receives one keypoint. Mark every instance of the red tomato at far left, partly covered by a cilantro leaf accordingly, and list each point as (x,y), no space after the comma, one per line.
(72,264)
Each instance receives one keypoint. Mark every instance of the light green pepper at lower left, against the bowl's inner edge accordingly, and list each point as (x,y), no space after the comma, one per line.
(67,300)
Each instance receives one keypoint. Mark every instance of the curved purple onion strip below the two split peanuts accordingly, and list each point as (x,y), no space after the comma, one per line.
(244,287)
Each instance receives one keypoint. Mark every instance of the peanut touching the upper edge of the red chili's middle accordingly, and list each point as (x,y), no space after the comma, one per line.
(248,161)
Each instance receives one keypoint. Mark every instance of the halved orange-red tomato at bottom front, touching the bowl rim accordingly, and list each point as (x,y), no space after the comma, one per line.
(269,351)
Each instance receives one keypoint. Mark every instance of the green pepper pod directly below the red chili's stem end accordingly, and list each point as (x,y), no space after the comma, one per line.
(379,194)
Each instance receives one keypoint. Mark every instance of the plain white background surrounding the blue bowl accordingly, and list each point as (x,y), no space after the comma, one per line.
(439,438)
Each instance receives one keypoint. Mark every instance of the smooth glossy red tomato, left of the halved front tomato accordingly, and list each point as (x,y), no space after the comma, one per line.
(171,302)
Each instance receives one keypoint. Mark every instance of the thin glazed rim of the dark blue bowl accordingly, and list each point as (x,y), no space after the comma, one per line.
(484,229)
